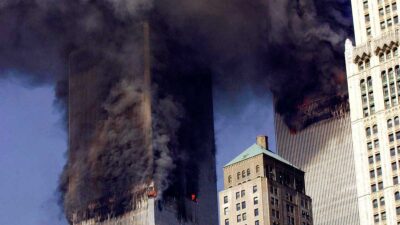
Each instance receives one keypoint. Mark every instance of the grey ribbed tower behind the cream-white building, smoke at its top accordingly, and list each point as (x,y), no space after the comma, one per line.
(324,151)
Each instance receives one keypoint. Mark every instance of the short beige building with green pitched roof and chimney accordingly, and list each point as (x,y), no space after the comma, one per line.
(262,188)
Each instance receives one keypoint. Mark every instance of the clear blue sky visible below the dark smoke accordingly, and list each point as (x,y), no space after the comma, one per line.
(33,146)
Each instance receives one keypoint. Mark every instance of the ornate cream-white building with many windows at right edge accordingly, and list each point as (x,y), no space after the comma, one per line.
(373,77)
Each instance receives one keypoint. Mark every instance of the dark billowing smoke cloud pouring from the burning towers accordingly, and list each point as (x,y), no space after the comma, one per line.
(292,48)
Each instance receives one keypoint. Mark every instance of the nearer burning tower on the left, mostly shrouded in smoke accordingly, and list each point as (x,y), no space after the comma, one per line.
(165,178)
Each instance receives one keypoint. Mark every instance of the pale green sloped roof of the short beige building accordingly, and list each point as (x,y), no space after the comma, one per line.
(255,150)
